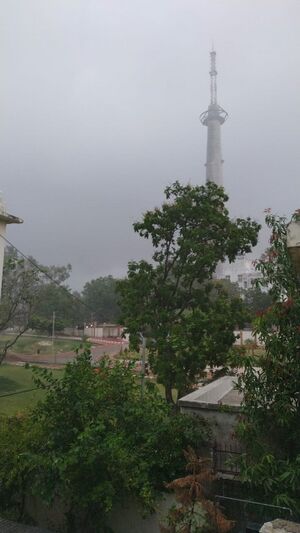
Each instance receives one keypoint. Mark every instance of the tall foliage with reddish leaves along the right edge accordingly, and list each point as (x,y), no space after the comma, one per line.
(271,426)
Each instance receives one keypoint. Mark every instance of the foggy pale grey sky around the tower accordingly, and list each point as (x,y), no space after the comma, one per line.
(99,112)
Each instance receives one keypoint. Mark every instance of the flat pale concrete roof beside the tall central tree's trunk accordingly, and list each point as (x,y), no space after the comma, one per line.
(213,395)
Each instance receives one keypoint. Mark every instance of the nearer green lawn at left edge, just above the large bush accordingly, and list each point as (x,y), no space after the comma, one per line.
(15,379)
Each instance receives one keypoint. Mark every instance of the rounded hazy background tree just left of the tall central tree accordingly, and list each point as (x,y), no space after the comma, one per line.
(101,297)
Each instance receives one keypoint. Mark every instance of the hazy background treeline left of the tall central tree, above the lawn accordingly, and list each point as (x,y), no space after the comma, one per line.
(49,291)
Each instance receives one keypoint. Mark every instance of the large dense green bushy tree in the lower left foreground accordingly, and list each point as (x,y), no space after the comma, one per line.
(93,441)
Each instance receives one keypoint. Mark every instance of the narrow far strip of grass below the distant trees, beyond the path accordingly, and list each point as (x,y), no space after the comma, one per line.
(28,345)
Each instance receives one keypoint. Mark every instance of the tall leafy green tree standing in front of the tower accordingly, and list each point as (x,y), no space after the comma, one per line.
(173,300)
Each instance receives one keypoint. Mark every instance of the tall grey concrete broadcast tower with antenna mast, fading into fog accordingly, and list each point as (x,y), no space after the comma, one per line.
(213,118)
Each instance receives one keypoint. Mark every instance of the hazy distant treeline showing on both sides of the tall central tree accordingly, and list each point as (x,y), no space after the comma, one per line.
(97,302)
